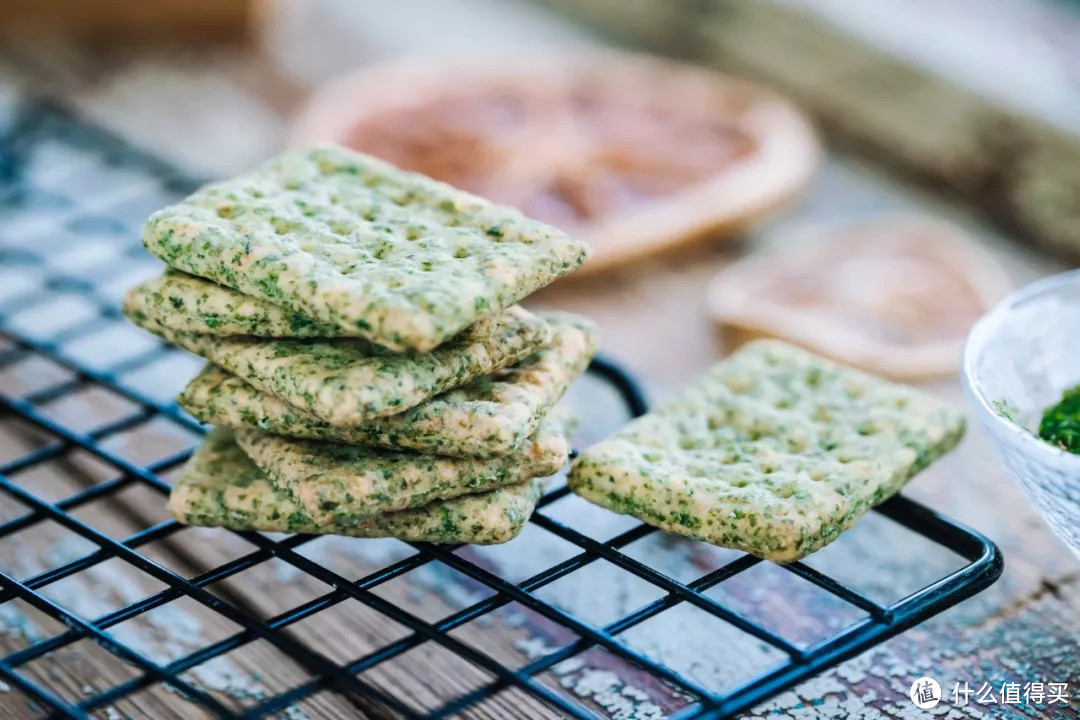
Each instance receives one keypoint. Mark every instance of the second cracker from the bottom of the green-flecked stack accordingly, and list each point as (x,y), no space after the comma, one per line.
(337,484)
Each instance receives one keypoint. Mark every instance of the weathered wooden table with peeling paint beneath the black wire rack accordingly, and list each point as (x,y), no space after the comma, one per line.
(1024,629)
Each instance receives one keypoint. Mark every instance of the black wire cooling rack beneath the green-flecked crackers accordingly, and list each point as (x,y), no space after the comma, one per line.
(111,187)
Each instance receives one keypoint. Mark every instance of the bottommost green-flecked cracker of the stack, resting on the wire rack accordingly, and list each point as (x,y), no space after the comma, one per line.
(221,487)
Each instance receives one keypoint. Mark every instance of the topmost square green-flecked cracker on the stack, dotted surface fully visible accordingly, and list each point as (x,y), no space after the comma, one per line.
(354,242)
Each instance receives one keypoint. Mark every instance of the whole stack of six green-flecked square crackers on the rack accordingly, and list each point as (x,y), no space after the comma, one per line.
(370,372)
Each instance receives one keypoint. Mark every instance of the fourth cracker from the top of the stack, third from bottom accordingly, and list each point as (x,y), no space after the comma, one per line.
(490,417)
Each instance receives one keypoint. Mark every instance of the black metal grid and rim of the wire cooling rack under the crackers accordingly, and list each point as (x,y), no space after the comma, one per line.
(36,124)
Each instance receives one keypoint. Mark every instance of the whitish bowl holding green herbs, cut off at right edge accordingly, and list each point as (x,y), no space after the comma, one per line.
(1019,360)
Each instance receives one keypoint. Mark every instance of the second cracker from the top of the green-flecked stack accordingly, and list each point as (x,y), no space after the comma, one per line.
(187,304)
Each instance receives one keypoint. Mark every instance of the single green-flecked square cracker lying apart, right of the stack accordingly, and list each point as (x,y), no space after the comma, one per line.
(774,452)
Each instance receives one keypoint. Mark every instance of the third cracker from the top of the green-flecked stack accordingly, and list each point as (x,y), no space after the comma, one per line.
(347,382)
